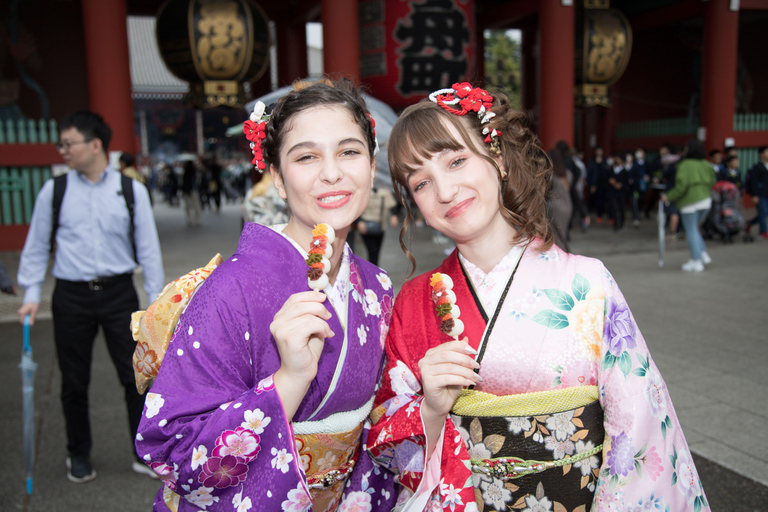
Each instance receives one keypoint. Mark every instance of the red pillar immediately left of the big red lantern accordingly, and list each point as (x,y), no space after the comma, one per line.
(341,38)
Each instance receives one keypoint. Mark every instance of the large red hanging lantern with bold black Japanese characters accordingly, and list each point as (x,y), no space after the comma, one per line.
(411,48)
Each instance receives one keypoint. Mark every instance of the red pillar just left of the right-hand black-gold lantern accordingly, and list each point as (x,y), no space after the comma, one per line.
(556,34)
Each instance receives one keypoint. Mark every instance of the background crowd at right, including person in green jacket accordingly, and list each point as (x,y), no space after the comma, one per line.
(630,184)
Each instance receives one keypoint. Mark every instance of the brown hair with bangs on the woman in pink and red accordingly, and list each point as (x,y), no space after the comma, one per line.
(422,131)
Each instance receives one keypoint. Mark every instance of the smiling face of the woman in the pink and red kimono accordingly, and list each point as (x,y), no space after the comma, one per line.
(457,191)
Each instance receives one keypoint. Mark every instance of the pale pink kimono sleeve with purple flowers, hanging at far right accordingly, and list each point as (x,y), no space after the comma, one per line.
(646,459)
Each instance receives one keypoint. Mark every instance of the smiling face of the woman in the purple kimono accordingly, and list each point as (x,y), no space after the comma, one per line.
(325,174)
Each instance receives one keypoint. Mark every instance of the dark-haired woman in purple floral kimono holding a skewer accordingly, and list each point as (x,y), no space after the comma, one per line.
(264,391)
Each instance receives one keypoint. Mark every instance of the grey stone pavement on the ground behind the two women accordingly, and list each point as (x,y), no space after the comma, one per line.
(706,333)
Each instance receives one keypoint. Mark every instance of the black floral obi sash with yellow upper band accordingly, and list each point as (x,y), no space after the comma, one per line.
(533,445)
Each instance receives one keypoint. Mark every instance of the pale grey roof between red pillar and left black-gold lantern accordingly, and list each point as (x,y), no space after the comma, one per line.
(150,78)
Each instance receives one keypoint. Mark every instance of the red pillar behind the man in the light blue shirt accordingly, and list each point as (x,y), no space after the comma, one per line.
(109,71)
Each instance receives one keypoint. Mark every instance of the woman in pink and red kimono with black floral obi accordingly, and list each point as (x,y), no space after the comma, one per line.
(516,376)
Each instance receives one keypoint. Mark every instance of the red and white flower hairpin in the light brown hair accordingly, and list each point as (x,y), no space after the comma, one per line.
(462,99)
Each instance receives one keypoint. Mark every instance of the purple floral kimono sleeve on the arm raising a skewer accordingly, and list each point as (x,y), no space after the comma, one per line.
(215,433)
